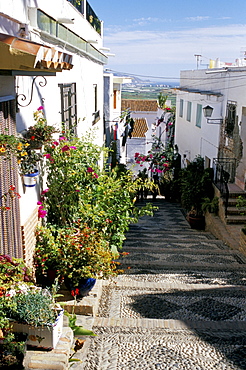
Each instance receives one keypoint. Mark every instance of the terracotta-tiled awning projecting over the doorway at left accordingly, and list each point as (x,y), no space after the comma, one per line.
(25,55)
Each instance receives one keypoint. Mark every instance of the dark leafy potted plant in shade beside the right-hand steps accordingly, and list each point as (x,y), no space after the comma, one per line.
(196,184)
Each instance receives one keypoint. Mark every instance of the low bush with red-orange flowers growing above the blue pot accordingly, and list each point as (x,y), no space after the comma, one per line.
(73,252)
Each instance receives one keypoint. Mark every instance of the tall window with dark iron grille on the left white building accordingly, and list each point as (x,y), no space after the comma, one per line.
(69,107)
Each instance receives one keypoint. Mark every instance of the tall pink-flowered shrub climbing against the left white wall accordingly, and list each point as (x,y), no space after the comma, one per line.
(72,168)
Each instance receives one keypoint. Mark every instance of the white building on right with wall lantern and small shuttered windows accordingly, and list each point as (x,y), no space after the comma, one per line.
(220,138)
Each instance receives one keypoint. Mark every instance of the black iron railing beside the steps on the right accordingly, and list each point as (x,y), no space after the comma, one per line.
(224,173)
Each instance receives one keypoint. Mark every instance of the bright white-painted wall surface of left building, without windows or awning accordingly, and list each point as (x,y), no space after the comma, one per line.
(86,72)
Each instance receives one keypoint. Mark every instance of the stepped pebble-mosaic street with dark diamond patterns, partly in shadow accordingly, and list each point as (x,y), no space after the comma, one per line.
(181,303)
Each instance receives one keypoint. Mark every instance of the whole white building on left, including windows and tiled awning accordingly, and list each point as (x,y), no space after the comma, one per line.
(52,55)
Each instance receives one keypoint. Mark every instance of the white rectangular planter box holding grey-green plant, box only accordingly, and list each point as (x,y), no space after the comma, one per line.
(46,337)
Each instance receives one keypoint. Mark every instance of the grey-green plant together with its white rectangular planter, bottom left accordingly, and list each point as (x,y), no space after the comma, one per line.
(32,310)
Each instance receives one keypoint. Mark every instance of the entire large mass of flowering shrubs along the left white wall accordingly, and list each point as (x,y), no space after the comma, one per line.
(88,211)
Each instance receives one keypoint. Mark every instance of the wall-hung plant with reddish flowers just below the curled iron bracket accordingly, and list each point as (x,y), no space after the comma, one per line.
(40,133)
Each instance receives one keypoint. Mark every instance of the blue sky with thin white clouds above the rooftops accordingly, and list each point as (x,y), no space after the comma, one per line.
(160,38)
